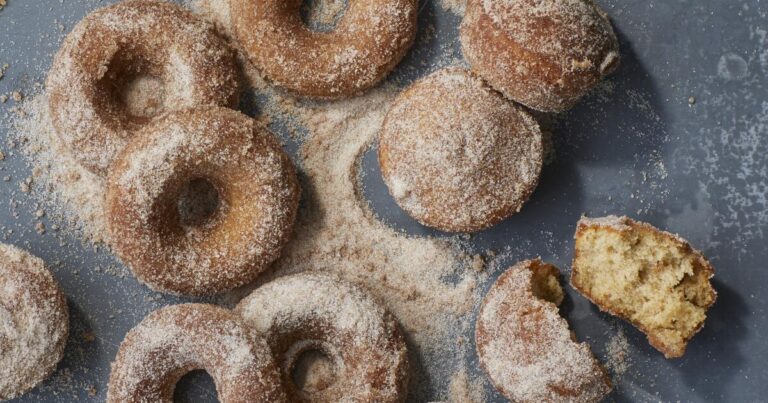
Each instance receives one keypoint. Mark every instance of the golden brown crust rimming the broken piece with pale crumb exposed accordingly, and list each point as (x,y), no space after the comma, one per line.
(620,225)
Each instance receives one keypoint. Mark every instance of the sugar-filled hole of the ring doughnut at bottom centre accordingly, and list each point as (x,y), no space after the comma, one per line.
(313,372)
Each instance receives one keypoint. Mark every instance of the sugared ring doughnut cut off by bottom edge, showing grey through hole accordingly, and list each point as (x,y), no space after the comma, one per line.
(175,340)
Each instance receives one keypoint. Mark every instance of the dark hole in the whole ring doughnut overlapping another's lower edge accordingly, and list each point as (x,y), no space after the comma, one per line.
(198,202)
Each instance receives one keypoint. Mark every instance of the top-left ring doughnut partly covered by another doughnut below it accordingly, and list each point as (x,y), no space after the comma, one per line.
(124,64)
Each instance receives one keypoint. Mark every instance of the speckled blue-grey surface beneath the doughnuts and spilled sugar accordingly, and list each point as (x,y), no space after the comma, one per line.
(637,146)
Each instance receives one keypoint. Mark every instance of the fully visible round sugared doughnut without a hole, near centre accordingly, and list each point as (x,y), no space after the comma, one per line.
(456,155)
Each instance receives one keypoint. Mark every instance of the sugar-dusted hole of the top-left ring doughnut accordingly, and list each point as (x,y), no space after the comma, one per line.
(133,89)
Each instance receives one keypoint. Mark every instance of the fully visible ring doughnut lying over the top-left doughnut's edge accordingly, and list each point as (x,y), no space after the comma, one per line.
(250,175)
